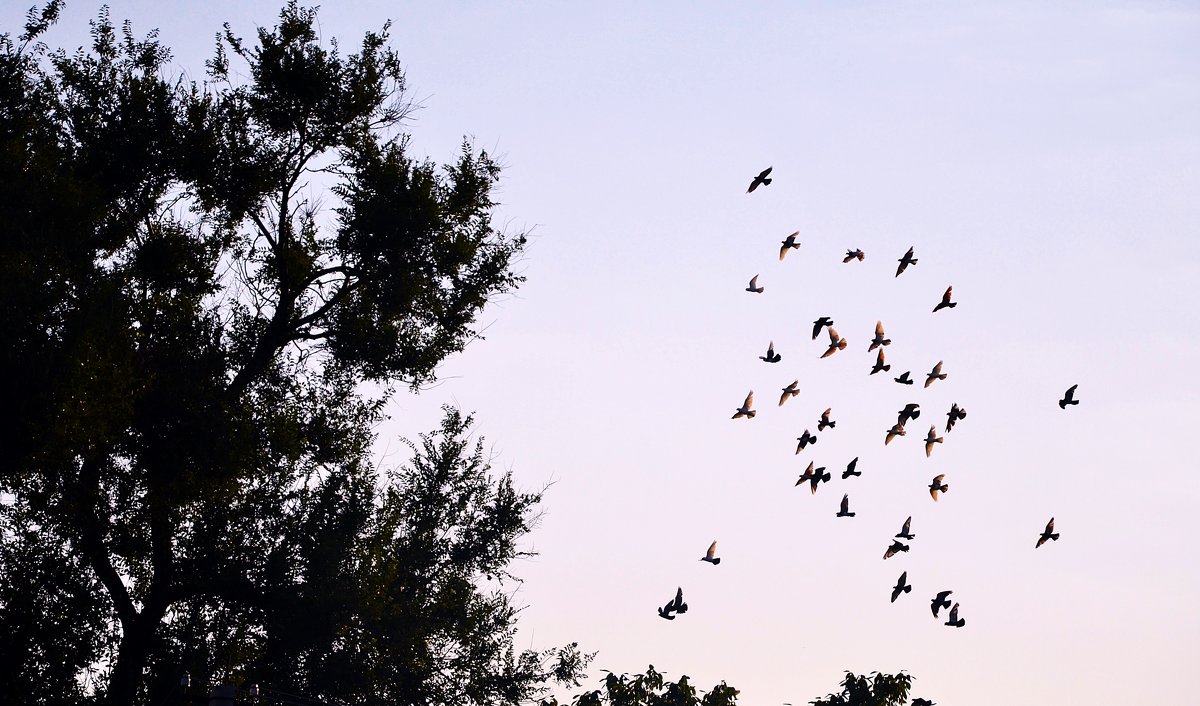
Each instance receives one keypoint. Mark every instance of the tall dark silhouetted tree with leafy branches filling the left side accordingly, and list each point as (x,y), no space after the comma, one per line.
(187,481)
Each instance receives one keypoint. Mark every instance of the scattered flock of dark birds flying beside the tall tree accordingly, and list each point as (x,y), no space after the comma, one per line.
(817,476)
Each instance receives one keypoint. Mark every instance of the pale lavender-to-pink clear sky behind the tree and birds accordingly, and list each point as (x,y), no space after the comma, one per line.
(1042,159)
